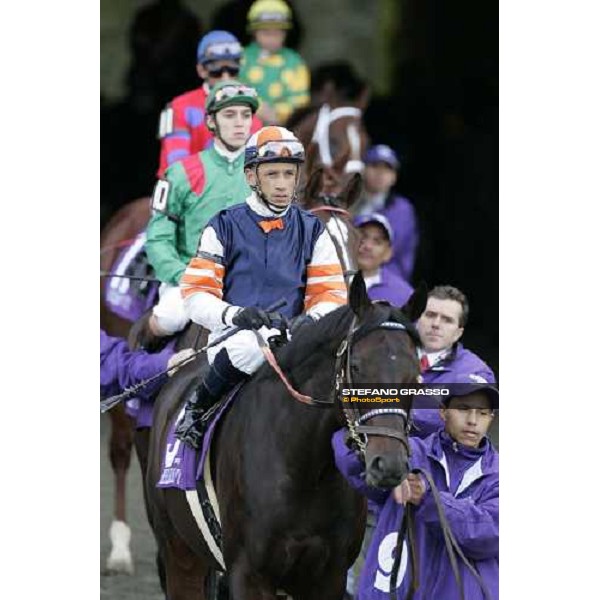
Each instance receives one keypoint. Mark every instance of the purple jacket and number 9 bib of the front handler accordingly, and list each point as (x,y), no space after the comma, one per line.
(471,506)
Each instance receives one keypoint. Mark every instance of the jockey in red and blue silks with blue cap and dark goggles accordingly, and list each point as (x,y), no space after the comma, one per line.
(183,128)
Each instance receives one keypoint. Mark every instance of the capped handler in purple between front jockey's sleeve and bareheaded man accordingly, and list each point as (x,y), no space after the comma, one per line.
(374,254)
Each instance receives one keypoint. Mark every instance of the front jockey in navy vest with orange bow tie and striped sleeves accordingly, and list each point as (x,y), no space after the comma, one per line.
(250,256)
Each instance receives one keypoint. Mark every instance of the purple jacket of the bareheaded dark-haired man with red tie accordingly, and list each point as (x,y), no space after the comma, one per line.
(460,362)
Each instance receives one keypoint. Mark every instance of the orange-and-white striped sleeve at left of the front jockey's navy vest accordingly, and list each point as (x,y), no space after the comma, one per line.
(202,284)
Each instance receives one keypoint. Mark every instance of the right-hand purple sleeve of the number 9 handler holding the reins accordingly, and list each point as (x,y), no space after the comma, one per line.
(475,525)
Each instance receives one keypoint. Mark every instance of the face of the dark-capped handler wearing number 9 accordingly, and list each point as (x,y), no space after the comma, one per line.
(468,418)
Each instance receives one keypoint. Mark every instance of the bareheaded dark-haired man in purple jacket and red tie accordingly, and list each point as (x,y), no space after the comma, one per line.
(443,358)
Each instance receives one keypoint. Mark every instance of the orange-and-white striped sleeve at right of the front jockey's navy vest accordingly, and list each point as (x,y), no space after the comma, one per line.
(325,286)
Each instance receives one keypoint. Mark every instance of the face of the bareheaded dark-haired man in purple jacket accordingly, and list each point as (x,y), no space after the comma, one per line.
(439,325)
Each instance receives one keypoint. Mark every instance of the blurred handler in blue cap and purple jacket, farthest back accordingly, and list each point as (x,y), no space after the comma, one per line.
(381,173)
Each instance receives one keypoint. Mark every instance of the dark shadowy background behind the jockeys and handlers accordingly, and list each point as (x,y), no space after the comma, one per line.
(441,115)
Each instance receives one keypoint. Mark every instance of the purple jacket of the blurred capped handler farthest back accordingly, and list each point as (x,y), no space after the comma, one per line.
(401,215)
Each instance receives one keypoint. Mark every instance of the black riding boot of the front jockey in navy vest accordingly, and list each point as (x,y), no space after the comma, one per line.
(221,378)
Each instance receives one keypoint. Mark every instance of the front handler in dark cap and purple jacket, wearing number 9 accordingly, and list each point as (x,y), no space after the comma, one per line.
(464,466)
